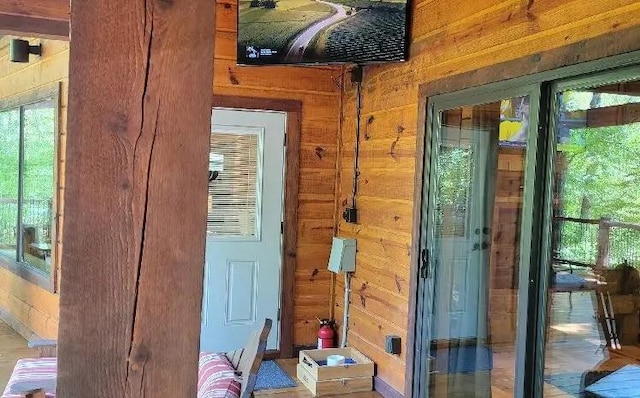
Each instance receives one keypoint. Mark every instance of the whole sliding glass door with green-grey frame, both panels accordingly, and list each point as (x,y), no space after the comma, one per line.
(529,280)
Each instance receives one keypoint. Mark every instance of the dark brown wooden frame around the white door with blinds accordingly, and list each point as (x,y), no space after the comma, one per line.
(293,110)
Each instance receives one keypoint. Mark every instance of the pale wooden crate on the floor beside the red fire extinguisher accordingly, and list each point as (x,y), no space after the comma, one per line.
(329,380)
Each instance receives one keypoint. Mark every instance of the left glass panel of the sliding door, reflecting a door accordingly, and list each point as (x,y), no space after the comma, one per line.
(471,236)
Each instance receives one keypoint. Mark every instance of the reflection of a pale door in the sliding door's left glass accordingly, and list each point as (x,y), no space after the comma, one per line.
(466,168)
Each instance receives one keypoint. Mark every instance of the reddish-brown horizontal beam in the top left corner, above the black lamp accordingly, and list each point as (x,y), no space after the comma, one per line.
(40,18)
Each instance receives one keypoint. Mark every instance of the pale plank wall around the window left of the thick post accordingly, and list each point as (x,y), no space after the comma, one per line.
(26,307)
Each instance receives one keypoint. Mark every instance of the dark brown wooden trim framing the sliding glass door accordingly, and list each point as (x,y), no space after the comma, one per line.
(616,49)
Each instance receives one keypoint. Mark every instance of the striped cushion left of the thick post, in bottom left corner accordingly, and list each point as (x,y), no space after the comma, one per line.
(33,370)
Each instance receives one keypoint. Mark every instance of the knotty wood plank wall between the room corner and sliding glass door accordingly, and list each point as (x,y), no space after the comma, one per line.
(447,38)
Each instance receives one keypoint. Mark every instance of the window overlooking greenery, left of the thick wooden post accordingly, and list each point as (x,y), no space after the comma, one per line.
(28,184)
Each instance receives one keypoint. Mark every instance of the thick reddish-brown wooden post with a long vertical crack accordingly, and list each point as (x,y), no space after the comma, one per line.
(140,93)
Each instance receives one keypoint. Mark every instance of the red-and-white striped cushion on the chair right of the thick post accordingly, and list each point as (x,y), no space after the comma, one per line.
(217,377)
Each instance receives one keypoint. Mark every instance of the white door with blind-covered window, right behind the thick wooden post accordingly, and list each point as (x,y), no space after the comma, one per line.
(244,239)
